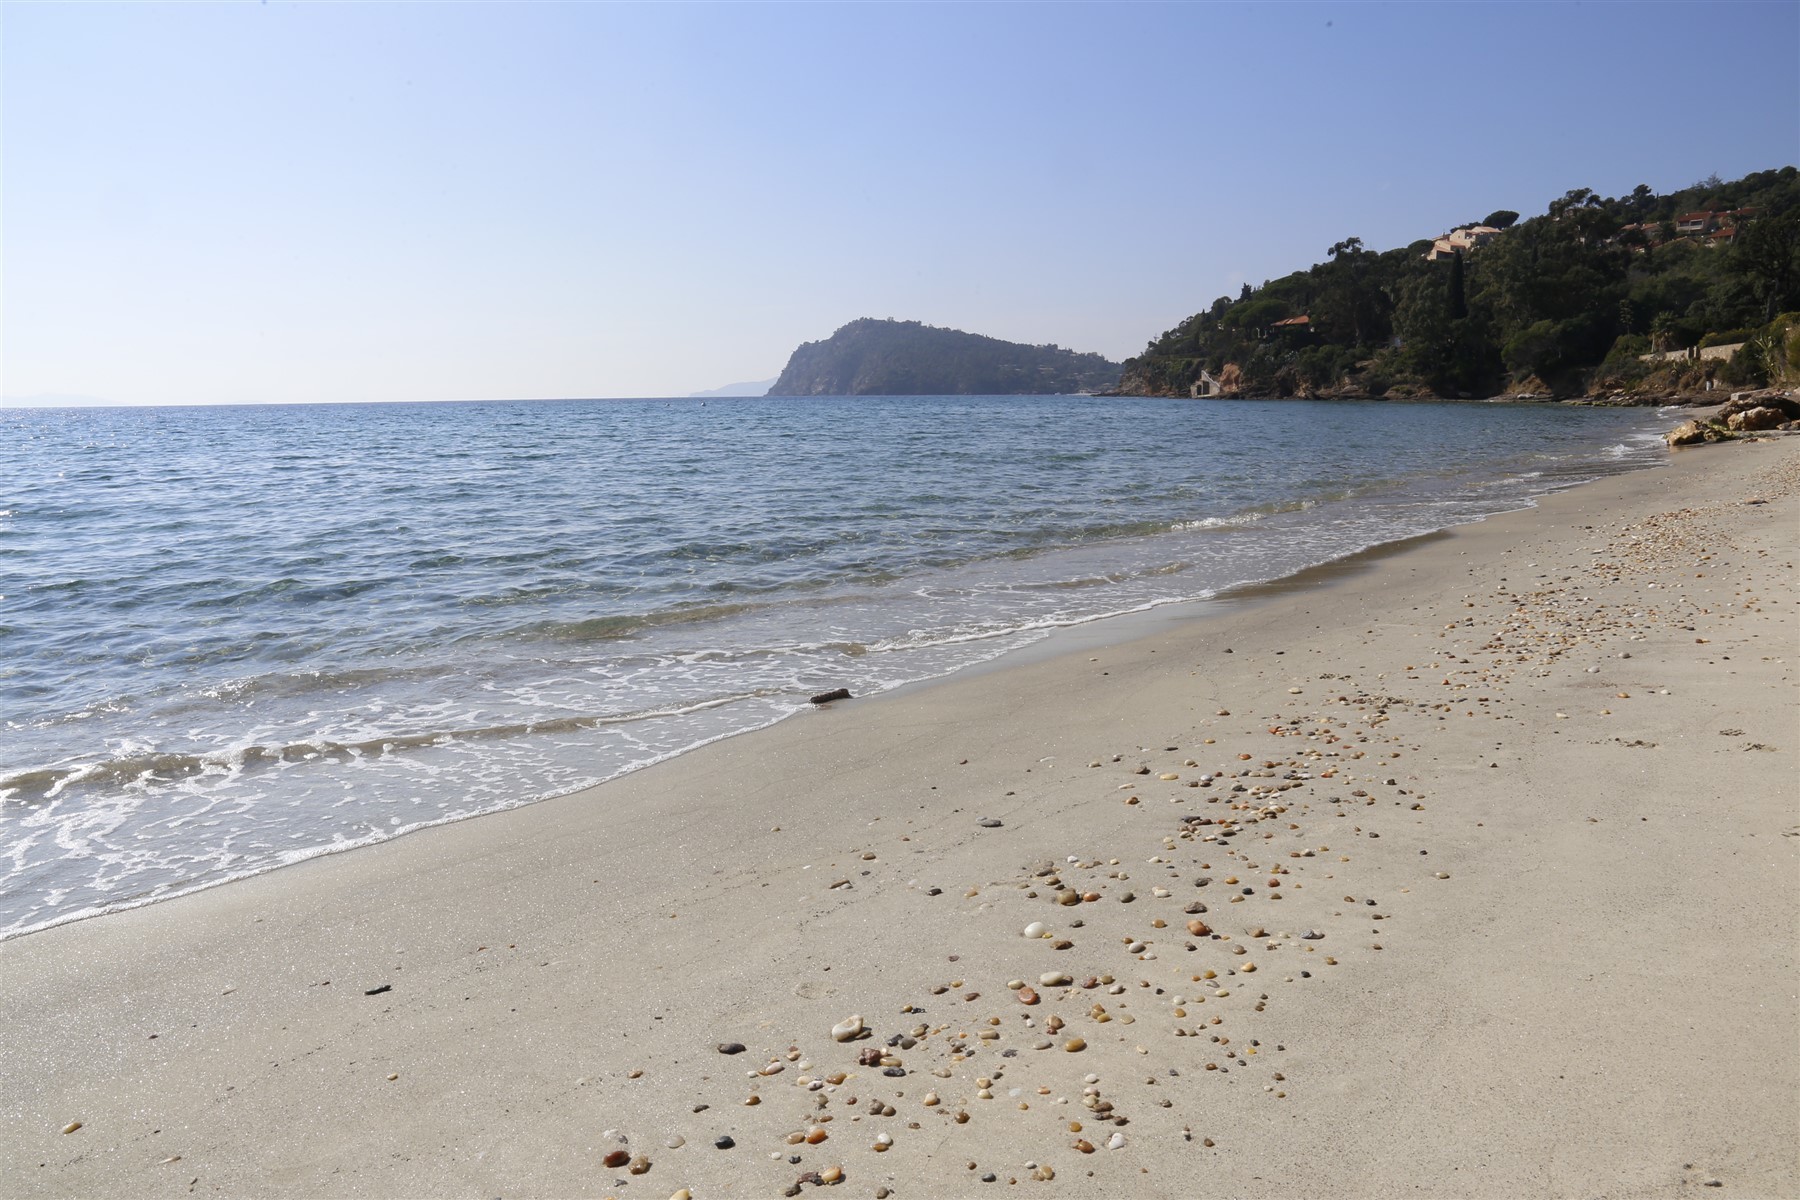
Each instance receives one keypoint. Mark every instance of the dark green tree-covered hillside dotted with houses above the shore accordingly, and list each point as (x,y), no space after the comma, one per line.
(1565,303)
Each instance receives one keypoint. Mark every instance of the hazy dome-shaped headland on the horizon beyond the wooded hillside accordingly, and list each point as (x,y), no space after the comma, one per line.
(910,359)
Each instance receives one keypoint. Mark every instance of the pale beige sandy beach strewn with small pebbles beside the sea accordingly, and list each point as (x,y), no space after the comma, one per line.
(1531,784)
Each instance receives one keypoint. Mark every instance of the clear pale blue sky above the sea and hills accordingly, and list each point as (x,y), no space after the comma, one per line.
(309,202)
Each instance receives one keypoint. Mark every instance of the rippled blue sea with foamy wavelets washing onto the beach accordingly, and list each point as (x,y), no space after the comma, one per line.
(240,638)
